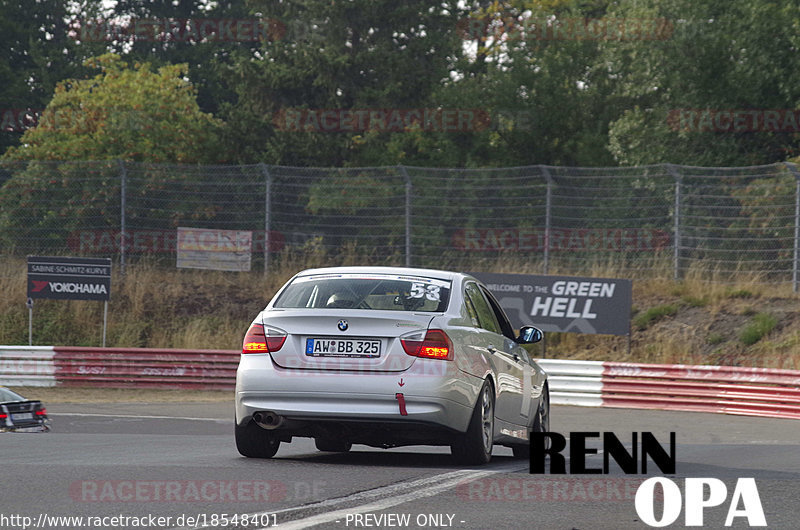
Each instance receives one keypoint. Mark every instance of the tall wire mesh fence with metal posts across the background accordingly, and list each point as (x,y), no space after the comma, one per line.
(660,220)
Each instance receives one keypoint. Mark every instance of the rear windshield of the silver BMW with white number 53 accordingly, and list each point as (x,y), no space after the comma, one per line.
(360,291)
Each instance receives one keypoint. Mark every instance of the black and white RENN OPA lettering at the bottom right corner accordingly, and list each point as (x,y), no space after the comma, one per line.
(699,493)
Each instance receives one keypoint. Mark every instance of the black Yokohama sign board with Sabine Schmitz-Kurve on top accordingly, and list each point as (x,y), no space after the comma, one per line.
(65,278)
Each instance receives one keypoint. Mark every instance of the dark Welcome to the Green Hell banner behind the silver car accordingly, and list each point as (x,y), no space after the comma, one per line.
(563,303)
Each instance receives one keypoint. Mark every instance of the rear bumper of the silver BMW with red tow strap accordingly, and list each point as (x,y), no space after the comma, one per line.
(433,392)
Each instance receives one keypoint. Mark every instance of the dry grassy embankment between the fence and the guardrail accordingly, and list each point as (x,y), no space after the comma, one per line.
(158,306)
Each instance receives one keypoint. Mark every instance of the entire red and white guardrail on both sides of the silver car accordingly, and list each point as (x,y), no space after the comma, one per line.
(720,389)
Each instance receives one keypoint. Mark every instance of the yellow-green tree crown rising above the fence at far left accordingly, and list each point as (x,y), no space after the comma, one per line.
(127,113)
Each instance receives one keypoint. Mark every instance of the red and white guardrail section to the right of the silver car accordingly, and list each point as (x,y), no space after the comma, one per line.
(720,389)
